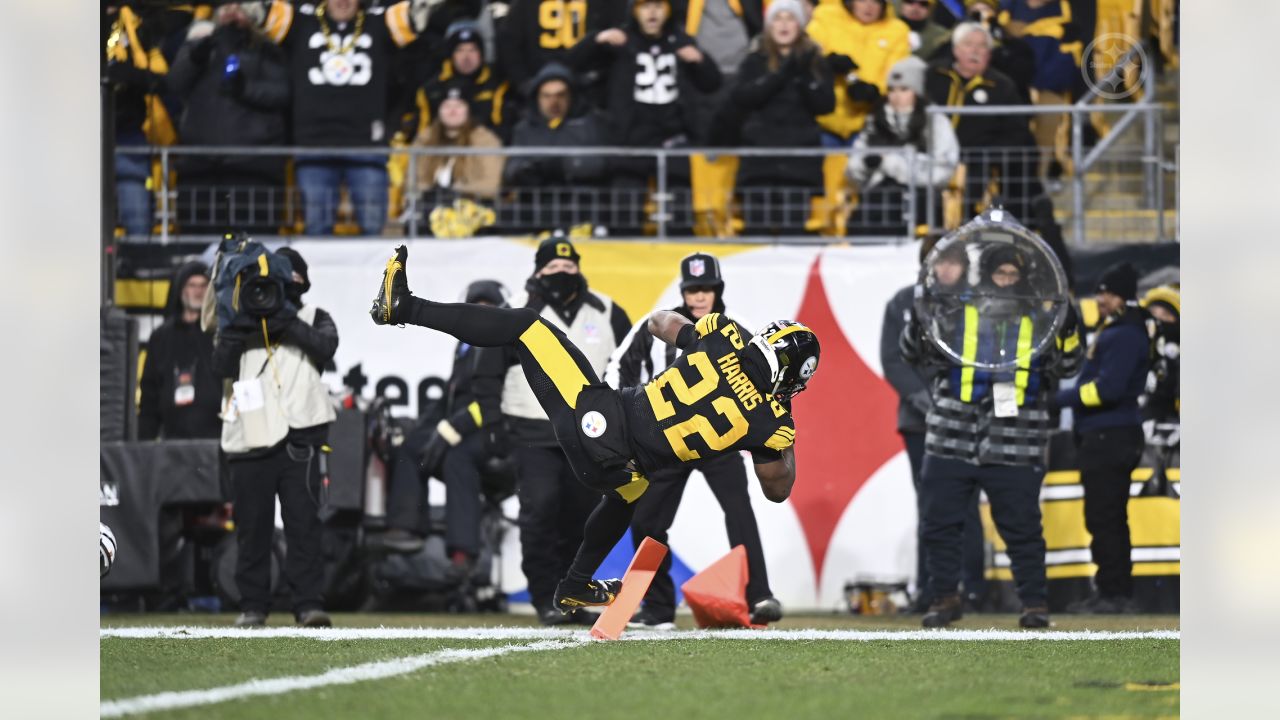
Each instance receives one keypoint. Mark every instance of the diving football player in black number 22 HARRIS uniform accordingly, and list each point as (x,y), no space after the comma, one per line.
(728,393)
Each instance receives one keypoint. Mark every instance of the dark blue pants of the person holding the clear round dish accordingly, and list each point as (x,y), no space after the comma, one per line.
(950,487)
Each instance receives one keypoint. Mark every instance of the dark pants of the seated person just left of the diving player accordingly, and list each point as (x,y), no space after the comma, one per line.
(406,498)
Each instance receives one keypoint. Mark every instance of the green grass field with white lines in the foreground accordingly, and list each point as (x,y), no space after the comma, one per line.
(528,673)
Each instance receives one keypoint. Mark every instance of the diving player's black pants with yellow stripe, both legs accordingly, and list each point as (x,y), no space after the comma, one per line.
(557,372)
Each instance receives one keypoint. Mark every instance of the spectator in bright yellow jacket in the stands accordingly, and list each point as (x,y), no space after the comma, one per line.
(862,42)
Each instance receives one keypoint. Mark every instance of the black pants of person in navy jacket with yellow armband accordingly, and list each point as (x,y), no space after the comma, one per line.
(1108,459)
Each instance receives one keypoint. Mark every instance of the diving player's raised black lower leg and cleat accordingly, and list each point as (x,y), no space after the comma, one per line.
(476,325)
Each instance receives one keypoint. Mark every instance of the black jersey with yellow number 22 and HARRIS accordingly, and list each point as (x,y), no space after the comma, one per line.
(706,405)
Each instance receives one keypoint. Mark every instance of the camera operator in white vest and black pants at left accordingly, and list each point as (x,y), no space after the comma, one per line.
(276,423)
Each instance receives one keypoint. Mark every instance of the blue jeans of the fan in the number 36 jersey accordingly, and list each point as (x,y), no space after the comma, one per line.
(365,179)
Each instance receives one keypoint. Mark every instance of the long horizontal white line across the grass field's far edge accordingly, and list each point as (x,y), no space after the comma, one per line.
(191,632)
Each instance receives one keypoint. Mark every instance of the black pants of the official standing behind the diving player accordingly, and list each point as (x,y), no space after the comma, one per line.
(656,512)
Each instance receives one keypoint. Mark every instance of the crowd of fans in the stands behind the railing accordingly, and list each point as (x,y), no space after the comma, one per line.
(374,76)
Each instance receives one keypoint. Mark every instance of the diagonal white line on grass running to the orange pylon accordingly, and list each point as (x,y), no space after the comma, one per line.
(337,677)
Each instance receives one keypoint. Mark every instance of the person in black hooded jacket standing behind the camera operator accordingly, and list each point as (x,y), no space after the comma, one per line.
(180,393)
